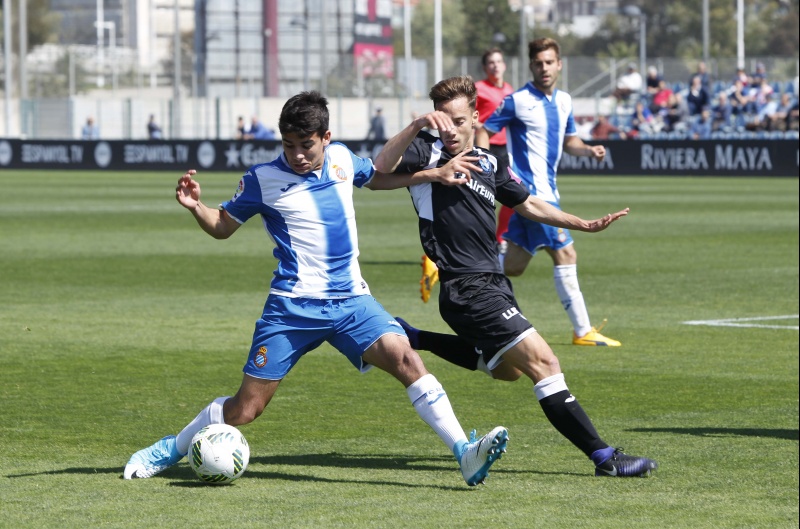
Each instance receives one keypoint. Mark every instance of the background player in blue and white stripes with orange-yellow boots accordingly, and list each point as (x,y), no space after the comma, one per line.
(539,128)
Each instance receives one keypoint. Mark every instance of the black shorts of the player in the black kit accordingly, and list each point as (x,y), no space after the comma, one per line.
(481,309)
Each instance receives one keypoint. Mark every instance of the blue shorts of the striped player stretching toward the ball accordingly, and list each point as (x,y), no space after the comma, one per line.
(291,327)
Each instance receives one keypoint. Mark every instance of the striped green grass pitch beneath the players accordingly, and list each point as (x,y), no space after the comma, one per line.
(120,320)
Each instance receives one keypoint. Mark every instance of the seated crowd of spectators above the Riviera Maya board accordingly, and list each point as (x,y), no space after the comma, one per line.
(747,106)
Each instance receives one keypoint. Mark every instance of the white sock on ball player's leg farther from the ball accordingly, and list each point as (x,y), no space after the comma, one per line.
(433,406)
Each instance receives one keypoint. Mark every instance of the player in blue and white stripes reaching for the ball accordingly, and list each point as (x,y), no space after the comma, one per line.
(305,201)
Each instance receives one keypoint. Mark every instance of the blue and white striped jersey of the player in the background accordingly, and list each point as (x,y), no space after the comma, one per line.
(536,125)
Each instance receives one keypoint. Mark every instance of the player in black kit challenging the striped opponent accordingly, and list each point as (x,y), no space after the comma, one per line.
(456,208)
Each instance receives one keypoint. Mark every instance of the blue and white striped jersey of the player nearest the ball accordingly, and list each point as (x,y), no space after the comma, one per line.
(311,220)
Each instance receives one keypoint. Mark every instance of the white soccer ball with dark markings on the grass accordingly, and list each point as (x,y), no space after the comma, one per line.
(219,453)
